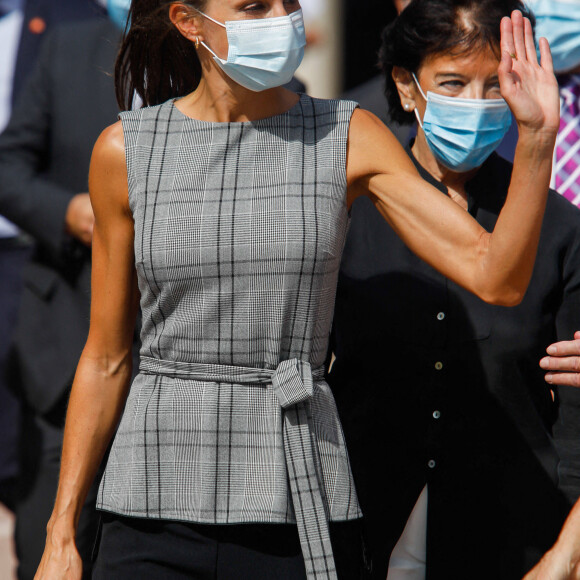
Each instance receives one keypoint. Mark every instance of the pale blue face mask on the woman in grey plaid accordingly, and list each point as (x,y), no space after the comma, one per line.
(263,53)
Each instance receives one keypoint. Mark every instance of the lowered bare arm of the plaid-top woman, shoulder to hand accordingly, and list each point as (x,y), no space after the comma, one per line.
(102,379)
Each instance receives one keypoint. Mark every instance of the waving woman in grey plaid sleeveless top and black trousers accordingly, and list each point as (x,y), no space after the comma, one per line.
(224,212)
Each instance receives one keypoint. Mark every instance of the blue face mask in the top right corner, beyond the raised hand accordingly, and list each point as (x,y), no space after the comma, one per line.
(559,22)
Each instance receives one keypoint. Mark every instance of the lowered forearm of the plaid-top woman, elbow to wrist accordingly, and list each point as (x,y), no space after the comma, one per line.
(96,403)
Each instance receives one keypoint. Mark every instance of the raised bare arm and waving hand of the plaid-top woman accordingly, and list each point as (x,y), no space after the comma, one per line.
(496,266)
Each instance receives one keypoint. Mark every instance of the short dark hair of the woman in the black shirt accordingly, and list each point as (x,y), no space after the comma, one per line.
(429,27)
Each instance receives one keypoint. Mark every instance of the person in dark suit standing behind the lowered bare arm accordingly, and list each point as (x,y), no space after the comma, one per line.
(44,159)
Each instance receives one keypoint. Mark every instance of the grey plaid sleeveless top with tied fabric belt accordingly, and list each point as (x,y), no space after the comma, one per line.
(239,230)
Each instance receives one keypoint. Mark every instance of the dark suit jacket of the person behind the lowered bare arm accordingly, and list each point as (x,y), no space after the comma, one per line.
(44,160)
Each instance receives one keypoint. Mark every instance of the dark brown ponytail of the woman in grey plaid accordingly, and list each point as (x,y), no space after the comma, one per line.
(155,60)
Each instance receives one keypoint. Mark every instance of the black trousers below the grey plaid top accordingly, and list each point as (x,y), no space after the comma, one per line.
(130,548)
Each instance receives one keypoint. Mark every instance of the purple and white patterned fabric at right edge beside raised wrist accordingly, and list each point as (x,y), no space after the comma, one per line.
(566,173)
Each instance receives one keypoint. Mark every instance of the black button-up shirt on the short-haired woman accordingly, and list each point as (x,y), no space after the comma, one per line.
(477,427)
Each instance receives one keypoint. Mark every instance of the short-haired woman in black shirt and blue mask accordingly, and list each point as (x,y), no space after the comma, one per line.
(445,389)
